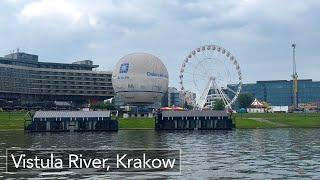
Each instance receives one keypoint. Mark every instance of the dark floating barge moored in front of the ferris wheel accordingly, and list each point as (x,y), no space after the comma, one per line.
(193,120)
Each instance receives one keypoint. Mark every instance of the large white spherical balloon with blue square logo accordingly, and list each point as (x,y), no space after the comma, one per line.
(140,78)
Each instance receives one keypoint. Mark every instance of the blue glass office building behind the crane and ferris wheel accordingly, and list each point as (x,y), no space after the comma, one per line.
(279,92)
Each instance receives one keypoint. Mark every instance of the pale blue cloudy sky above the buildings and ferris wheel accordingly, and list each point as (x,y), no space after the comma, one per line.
(258,32)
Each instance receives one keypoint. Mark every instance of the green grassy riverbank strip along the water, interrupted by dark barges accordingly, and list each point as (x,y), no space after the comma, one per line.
(15,121)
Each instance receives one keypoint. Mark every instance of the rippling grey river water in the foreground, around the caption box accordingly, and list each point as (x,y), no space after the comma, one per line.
(239,154)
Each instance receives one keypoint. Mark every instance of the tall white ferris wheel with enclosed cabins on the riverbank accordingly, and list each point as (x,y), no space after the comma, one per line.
(212,73)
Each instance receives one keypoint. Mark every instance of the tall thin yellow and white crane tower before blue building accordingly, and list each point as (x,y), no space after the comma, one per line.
(294,78)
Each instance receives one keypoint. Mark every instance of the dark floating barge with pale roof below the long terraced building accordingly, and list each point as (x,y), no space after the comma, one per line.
(69,121)
